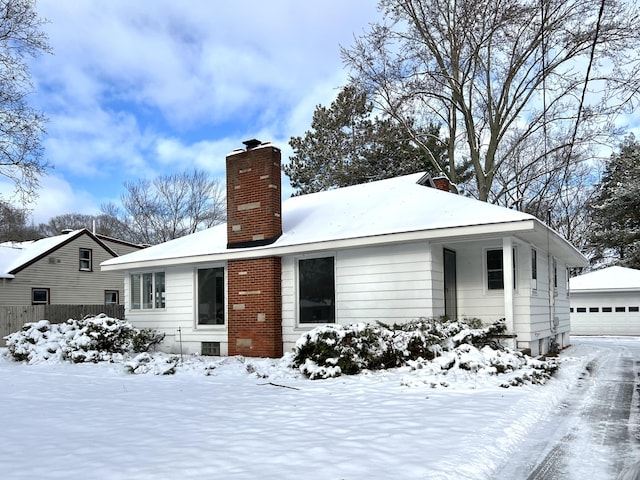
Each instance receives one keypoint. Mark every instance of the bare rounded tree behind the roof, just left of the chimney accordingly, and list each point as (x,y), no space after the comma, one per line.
(170,206)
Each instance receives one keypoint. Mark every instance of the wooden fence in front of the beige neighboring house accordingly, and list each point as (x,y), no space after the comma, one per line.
(14,317)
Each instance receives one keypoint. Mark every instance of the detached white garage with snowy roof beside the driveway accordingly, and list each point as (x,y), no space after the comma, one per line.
(606,302)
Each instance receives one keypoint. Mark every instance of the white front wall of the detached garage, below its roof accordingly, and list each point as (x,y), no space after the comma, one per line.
(598,322)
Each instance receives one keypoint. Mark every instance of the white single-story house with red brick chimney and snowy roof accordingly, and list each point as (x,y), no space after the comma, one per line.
(390,251)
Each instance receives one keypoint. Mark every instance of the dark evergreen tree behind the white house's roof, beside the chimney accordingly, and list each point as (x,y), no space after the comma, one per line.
(347,145)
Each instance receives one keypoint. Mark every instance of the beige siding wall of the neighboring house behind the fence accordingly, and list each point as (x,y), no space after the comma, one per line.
(66,283)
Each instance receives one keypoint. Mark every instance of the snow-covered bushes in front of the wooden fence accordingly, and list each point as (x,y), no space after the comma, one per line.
(91,339)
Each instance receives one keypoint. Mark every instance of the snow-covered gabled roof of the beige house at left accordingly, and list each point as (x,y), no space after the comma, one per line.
(15,256)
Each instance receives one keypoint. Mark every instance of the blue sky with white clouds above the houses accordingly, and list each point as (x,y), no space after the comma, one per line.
(136,89)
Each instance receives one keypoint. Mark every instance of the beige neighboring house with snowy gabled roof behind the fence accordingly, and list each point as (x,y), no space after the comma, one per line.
(64,269)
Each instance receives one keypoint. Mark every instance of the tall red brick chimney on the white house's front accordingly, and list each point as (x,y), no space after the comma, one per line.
(253,219)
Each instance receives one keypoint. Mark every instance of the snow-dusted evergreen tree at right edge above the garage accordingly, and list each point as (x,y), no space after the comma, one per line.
(615,210)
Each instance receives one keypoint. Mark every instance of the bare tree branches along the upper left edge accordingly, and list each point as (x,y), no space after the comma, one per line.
(21,127)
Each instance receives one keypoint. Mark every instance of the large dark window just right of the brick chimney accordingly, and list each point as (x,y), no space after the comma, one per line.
(316,287)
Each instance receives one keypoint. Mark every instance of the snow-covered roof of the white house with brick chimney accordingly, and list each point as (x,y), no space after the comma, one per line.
(387,211)
